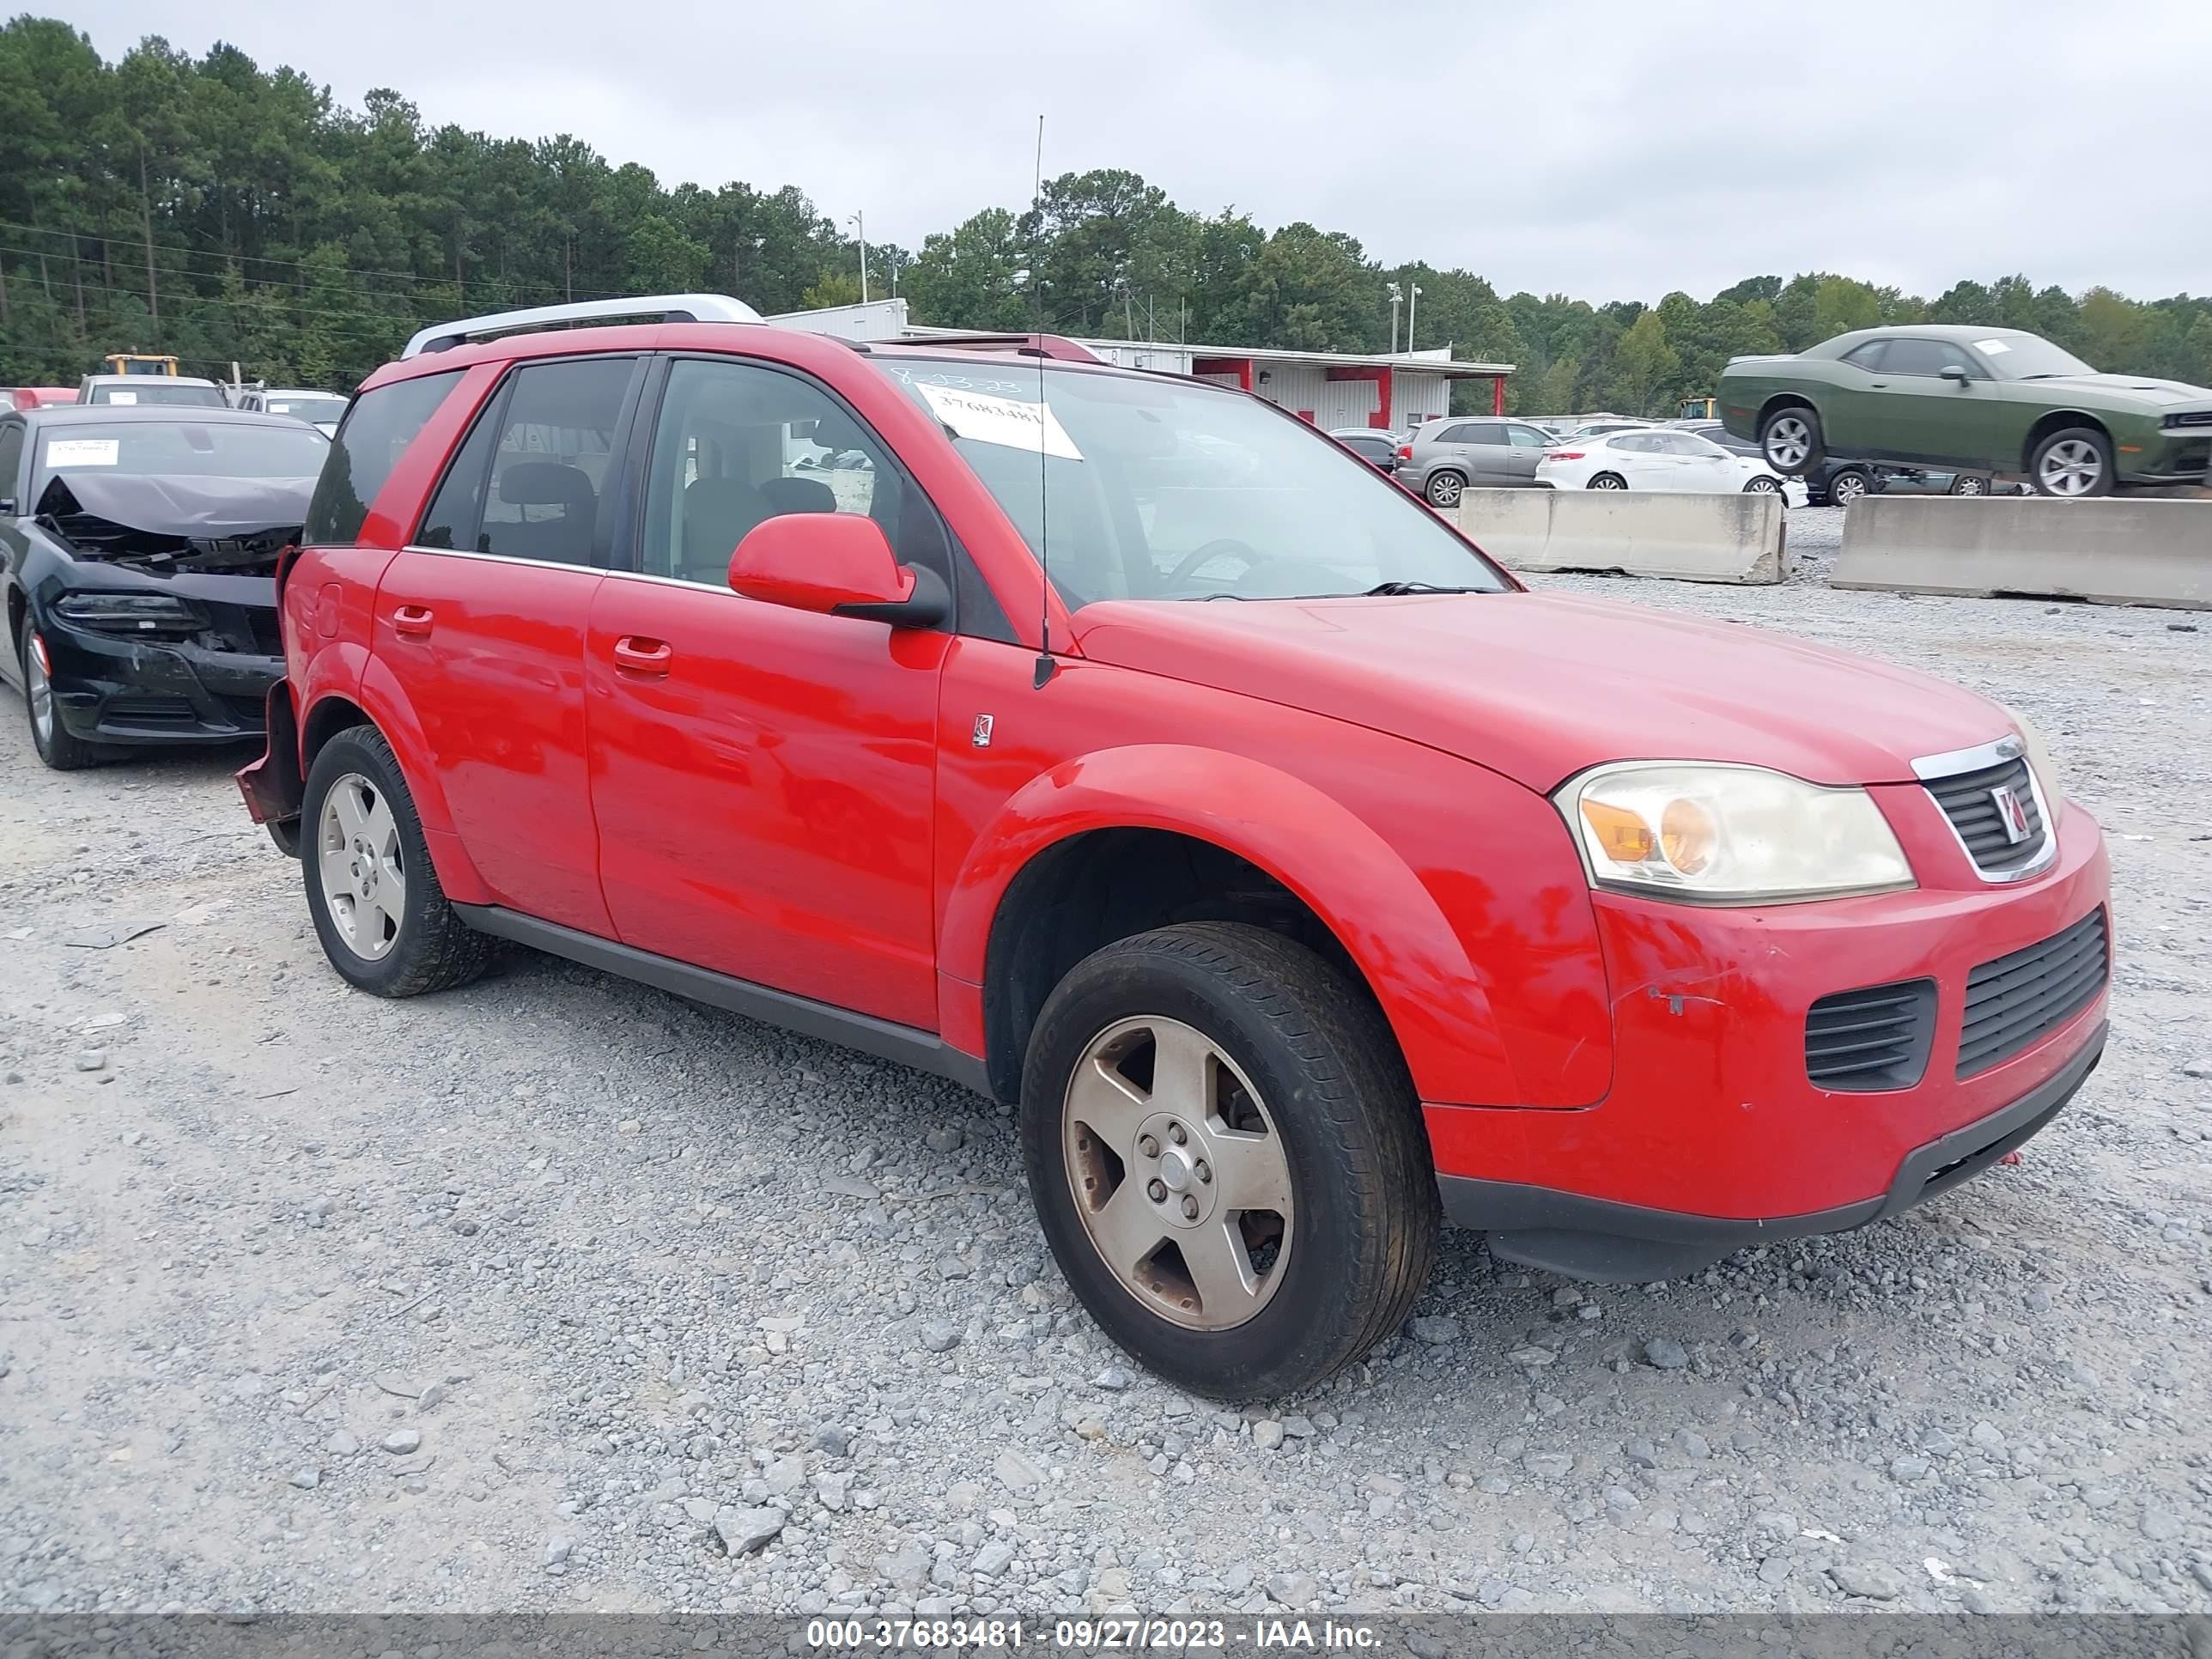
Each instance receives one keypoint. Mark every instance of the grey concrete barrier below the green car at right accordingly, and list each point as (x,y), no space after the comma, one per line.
(2111,552)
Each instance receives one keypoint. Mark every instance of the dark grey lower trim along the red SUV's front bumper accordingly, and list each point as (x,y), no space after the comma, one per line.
(1627,1244)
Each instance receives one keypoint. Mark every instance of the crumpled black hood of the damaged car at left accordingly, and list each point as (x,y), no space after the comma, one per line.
(174,521)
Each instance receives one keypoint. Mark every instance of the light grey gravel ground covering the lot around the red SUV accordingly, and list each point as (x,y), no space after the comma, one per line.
(563,1293)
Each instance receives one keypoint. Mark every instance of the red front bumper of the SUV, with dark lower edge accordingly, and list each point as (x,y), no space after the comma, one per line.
(1713,1125)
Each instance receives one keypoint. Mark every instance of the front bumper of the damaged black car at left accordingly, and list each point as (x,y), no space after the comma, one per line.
(121,689)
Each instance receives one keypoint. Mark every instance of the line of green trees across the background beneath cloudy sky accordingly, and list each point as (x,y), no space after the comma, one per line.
(225,213)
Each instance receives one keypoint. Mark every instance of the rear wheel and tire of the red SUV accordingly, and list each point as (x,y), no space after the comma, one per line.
(375,897)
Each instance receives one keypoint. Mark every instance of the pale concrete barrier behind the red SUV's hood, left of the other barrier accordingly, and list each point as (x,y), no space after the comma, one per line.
(1691,539)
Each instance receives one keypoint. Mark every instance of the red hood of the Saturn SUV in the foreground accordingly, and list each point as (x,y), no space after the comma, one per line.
(1541,687)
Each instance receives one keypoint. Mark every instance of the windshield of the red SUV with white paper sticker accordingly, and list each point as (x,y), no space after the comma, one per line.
(1169,490)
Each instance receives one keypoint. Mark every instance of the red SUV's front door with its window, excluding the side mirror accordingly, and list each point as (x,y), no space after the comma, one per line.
(764,778)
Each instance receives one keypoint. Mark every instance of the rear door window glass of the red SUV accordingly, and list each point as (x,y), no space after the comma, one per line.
(532,474)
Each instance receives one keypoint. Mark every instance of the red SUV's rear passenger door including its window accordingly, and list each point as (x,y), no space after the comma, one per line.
(483,623)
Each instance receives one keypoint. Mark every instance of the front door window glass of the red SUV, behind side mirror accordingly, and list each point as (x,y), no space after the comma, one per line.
(740,444)
